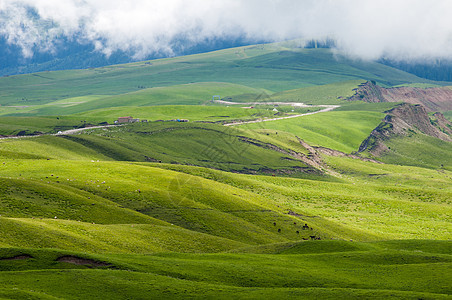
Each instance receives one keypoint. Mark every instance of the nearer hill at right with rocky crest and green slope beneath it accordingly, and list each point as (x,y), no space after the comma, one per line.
(407,135)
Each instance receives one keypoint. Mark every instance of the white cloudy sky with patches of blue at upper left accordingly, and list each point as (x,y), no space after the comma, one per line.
(400,29)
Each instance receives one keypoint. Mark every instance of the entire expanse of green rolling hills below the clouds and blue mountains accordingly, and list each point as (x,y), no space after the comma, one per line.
(297,174)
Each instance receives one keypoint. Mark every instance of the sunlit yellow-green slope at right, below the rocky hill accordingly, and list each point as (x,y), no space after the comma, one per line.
(374,201)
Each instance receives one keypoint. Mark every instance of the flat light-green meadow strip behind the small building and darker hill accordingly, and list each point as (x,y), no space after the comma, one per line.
(28,124)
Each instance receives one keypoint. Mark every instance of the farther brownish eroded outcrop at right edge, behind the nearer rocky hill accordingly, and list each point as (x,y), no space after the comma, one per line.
(434,99)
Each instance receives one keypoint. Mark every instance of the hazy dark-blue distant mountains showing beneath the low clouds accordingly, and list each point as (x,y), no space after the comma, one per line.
(73,54)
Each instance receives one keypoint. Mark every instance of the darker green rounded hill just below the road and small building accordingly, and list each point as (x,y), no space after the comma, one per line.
(208,145)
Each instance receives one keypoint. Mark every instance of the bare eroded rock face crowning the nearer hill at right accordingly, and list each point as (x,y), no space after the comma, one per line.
(403,120)
